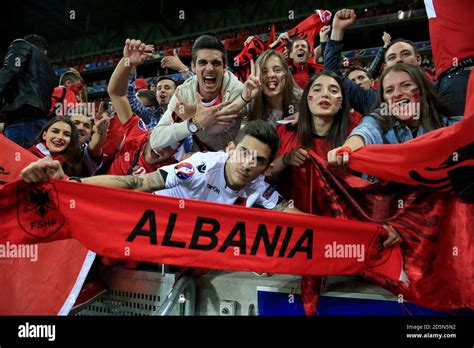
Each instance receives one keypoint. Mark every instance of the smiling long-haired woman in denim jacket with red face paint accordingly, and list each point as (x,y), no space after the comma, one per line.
(408,106)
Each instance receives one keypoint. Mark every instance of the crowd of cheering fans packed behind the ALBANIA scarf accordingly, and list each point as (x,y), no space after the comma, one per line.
(256,131)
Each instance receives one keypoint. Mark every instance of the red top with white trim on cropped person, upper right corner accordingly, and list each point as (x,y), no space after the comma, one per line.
(451,29)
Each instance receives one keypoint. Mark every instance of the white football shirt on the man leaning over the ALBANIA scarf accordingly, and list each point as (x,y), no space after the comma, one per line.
(201,177)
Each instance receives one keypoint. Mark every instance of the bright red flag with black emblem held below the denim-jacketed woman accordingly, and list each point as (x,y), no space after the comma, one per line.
(442,160)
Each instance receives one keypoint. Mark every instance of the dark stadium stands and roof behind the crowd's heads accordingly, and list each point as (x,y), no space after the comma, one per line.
(88,35)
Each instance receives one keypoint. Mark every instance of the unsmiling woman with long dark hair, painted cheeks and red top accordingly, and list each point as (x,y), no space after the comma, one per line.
(323,124)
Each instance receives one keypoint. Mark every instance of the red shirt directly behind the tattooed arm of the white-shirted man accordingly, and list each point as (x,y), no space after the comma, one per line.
(136,136)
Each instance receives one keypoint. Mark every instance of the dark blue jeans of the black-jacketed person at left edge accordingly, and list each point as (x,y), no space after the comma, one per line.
(24,132)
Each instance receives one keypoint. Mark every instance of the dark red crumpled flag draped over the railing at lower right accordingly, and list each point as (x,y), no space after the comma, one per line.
(436,229)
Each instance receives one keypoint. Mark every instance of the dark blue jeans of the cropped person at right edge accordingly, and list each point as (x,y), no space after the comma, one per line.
(453,89)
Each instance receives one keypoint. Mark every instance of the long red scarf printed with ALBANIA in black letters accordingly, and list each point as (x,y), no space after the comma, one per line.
(138,226)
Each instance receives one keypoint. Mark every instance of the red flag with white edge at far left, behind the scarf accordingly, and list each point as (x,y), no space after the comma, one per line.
(47,281)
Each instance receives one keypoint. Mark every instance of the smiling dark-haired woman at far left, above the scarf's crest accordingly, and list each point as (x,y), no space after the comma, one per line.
(58,138)
